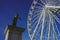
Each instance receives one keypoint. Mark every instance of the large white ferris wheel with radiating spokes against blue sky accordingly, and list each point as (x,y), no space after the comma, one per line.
(43,20)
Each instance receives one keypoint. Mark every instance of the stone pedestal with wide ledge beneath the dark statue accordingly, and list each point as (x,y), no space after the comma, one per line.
(13,33)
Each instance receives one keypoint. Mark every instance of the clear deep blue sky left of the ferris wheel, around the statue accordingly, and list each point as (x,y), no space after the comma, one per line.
(8,9)
